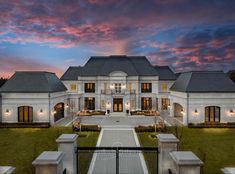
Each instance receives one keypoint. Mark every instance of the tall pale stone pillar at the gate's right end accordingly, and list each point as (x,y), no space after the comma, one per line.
(166,144)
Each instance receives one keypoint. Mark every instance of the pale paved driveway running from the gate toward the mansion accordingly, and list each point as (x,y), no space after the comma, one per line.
(105,161)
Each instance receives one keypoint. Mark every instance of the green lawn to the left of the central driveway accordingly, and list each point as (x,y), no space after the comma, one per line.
(19,147)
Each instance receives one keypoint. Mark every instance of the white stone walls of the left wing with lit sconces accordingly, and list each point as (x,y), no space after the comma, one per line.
(42,104)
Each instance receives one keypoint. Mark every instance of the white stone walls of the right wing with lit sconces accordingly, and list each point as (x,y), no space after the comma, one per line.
(194,105)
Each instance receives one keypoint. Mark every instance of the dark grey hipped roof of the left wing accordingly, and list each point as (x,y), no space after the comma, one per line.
(34,81)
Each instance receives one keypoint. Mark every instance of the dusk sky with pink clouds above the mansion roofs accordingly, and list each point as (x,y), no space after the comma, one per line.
(52,35)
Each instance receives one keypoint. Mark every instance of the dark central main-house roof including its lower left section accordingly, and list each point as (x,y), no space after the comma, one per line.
(104,65)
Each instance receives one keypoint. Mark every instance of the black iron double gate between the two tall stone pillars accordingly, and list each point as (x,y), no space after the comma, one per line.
(117,160)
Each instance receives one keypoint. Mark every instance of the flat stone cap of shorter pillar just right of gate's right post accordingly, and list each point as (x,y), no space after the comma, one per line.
(185,158)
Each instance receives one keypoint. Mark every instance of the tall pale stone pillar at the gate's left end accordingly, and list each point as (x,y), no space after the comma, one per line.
(67,143)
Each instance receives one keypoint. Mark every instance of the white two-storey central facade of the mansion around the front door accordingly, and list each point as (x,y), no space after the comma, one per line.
(105,91)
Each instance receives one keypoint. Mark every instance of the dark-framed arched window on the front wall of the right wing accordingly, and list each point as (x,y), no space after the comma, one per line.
(212,114)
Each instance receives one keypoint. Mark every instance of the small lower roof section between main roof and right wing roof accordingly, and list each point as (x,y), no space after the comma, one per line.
(165,73)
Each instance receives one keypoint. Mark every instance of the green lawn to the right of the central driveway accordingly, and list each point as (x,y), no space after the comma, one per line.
(216,147)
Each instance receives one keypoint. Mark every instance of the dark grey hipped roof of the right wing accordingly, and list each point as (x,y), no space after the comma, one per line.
(203,81)
